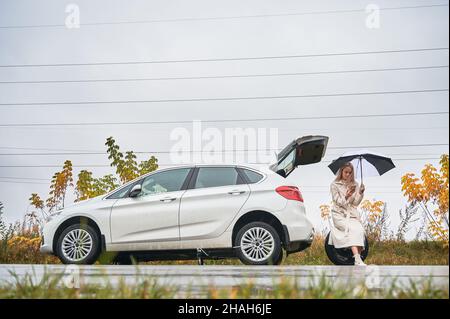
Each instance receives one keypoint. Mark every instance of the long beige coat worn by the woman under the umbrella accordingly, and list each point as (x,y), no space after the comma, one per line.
(347,230)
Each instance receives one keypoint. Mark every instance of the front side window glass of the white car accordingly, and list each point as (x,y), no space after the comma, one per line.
(163,182)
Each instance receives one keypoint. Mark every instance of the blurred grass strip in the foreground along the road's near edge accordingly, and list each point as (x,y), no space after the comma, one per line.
(52,287)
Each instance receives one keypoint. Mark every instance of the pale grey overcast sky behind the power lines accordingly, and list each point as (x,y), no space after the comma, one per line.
(33,32)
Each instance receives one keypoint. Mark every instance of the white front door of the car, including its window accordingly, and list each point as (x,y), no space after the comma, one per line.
(153,214)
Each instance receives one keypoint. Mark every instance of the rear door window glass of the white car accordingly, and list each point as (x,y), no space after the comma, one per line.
(217,176)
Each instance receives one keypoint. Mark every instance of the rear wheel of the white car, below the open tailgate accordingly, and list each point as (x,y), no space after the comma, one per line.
(258,243)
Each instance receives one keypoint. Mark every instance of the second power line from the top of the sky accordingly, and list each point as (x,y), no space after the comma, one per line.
(225,59)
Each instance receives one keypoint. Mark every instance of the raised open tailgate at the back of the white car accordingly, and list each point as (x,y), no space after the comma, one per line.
(302,151)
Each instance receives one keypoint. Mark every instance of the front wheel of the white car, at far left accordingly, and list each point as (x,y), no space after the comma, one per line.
(78,244)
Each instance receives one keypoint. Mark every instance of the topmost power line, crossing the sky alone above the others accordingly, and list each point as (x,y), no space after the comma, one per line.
(191,19)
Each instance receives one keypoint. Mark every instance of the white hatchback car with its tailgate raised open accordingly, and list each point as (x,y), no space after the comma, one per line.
(189,212)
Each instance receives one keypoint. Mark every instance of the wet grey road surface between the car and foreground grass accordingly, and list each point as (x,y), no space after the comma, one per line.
(196,278)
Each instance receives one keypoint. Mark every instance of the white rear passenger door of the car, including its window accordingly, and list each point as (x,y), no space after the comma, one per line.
(215,196)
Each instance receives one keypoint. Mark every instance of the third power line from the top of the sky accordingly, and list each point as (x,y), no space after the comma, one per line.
(226,76)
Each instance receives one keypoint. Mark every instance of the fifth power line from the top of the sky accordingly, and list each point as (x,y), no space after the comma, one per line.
(230,120)
